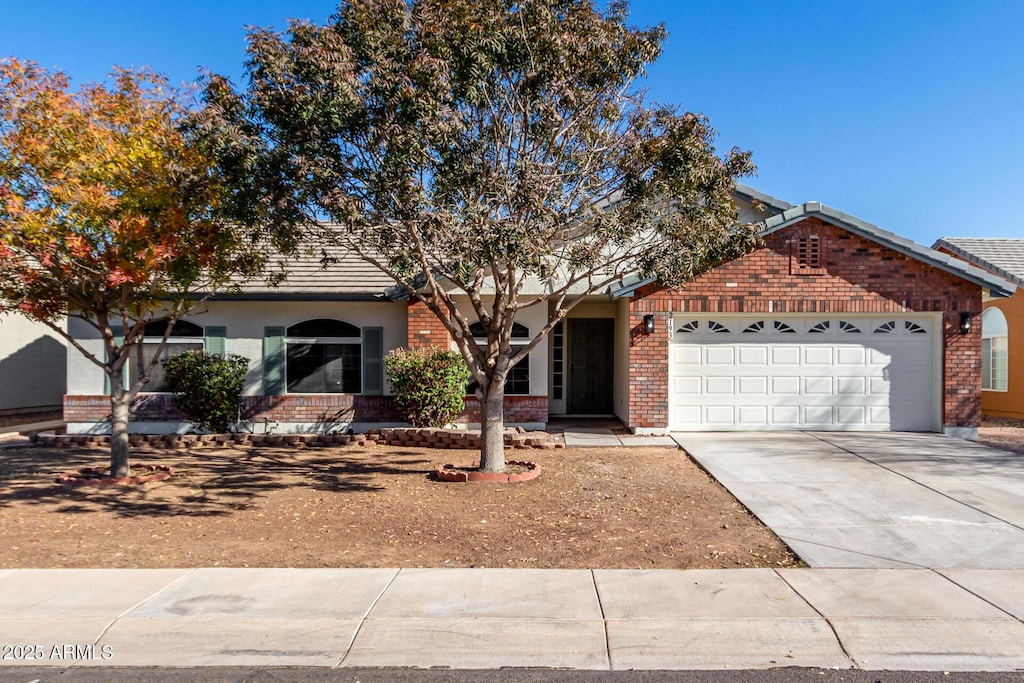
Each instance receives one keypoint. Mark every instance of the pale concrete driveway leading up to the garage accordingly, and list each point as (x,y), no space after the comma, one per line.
(876,500)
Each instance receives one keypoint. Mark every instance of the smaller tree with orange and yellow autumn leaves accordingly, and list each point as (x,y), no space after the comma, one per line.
(112,212)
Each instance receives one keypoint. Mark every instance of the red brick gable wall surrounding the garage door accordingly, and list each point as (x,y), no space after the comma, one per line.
(861,277)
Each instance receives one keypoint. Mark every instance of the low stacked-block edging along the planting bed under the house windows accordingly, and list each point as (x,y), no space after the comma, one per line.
(402,437)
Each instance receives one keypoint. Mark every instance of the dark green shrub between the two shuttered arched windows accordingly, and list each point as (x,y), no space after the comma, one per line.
(207,389)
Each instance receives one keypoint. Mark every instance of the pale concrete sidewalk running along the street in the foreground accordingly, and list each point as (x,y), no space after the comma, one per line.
(487,619)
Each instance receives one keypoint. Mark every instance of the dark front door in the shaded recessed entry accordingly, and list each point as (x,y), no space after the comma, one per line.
(591,347)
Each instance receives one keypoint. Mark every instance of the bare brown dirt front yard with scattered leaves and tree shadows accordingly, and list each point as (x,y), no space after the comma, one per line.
(378,506)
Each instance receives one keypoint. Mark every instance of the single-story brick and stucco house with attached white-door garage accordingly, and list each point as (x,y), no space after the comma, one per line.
(832,325)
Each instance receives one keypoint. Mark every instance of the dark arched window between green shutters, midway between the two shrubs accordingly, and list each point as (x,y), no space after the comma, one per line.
(324,357)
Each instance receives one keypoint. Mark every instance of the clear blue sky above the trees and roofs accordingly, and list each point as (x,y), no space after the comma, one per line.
(909,114)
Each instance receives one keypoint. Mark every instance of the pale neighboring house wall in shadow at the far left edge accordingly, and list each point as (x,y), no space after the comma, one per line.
(33,366)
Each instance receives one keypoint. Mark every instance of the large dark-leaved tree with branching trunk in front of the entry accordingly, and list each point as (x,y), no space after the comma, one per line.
(488,155)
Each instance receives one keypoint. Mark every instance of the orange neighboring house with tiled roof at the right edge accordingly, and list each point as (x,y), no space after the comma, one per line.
(1002,323)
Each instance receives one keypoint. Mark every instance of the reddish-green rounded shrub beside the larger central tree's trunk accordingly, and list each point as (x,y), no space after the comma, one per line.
(430,386)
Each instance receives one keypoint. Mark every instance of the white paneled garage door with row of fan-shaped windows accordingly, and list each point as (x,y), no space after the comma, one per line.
(825,373)
